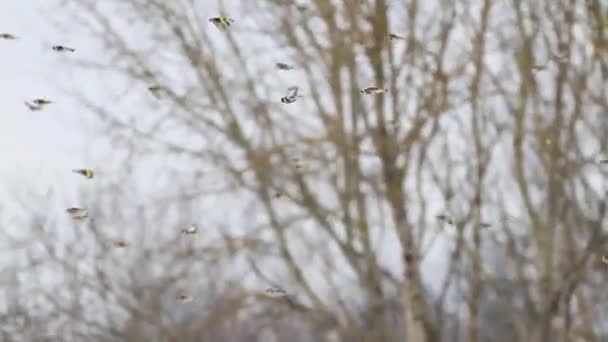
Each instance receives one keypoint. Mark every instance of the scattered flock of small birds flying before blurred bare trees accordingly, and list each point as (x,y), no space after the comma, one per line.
(292,95)
